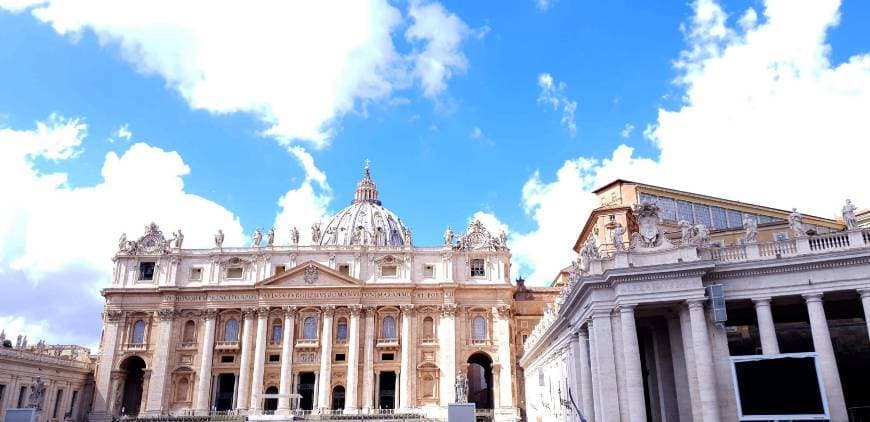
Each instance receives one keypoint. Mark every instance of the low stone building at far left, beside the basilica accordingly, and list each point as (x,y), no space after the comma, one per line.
(65,372)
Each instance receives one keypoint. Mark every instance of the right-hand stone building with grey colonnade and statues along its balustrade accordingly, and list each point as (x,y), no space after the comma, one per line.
(654,317)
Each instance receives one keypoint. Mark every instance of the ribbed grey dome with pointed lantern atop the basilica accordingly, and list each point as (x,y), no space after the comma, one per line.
(365,221)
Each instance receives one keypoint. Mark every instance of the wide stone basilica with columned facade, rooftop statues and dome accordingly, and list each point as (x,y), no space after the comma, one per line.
(354,319)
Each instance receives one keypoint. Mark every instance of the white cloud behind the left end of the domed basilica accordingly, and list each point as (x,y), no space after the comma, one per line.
(58,239)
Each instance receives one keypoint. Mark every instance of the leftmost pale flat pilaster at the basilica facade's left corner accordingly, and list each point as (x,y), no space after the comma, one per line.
(103,379)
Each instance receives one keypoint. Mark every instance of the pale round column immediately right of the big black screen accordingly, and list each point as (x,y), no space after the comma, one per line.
(825,357)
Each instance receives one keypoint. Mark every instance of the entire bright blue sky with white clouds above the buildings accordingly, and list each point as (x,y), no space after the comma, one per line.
(244,115)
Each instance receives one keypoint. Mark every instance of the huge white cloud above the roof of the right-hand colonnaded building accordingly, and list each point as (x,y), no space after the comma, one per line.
(766,118)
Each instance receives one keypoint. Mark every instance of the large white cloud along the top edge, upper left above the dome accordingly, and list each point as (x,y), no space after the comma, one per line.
(297,66)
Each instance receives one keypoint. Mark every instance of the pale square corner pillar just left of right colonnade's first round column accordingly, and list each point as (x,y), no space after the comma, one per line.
(608,392)
